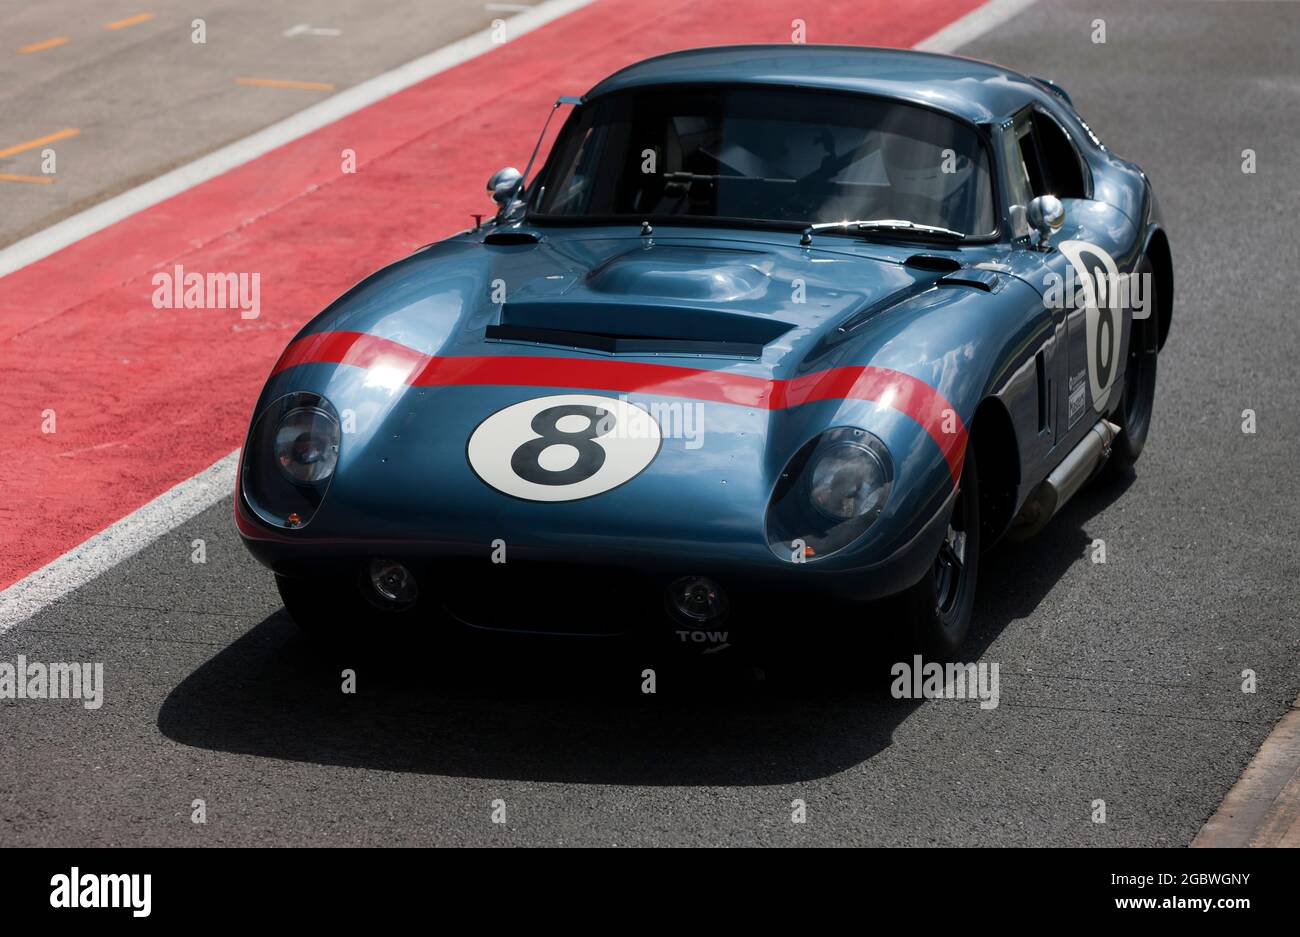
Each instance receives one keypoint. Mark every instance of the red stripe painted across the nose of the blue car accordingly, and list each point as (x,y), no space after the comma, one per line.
(889,388)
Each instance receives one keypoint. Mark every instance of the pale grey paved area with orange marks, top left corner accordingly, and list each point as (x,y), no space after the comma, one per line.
(148,99)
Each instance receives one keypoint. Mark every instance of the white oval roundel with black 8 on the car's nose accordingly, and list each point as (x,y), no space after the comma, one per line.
(564,448)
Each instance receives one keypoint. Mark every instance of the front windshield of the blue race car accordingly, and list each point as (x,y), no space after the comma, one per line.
(775,155)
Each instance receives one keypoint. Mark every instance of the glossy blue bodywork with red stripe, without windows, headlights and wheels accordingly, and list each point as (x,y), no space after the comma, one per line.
(965,328)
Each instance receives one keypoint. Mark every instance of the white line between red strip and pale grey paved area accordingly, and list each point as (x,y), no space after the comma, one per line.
(71,231)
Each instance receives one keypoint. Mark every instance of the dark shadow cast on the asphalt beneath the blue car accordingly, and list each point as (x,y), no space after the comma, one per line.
(562,713)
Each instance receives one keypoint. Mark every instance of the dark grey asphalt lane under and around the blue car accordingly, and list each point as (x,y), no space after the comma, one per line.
(1120,682)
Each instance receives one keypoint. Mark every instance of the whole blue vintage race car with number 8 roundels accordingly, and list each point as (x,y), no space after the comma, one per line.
(772,322)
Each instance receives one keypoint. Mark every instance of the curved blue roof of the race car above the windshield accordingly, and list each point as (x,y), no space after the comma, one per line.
(965,88)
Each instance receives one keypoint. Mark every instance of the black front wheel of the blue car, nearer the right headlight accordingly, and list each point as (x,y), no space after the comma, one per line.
(941,605)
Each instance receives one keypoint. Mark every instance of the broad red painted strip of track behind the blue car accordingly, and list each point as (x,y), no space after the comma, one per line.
(145,398)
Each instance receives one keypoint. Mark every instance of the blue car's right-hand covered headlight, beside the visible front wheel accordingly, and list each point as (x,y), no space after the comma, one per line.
(830,493)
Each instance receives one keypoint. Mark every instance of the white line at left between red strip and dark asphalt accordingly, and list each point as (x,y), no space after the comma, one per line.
(119,543)
